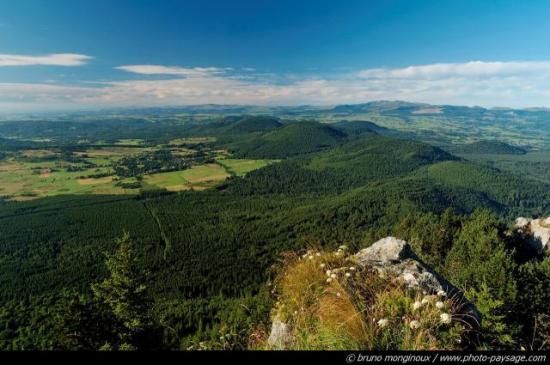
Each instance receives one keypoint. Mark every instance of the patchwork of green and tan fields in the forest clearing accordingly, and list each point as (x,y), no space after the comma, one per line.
(33,174)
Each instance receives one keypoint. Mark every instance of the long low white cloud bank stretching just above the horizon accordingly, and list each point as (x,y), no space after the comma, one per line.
(515,84)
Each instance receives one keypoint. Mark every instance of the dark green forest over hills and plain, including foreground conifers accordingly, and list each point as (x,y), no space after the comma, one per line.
(192,270)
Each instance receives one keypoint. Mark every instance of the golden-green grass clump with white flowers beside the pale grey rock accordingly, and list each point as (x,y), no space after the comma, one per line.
(331,303)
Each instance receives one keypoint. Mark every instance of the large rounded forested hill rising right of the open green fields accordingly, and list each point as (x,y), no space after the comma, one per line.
(412,169)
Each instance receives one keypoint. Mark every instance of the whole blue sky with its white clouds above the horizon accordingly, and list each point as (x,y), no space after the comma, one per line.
(58,55)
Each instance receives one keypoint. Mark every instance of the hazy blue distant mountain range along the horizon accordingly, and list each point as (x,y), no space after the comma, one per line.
(442,125)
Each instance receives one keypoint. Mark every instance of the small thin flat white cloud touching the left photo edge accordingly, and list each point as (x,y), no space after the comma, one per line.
(57,59)
